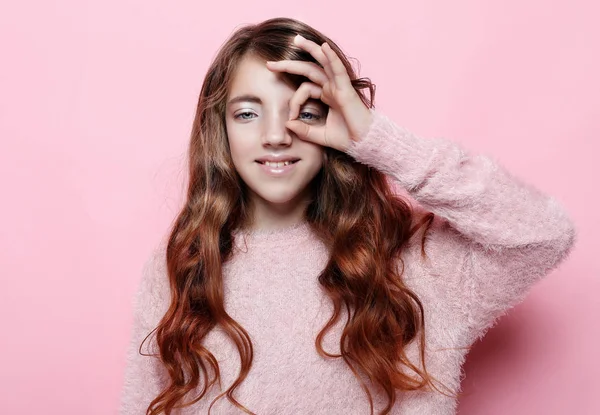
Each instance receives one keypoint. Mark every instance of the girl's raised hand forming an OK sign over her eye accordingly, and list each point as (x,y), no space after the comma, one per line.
(348,118)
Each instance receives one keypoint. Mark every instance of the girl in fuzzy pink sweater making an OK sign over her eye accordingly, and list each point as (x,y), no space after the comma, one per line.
(296,278)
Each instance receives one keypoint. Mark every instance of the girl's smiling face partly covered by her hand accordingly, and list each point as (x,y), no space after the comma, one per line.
(257,109)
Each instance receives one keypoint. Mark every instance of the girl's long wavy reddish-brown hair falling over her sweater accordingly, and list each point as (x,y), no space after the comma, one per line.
(353,210)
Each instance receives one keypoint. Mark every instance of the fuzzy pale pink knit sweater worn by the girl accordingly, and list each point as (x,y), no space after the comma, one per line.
(493,238)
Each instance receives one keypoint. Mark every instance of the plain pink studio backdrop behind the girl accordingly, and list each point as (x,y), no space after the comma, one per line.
(96,104)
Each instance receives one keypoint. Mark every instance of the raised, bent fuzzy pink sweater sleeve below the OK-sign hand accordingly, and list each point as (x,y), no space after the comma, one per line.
(501,234)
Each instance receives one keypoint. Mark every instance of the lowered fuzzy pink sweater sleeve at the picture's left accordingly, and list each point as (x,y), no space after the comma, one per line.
(145,377)
